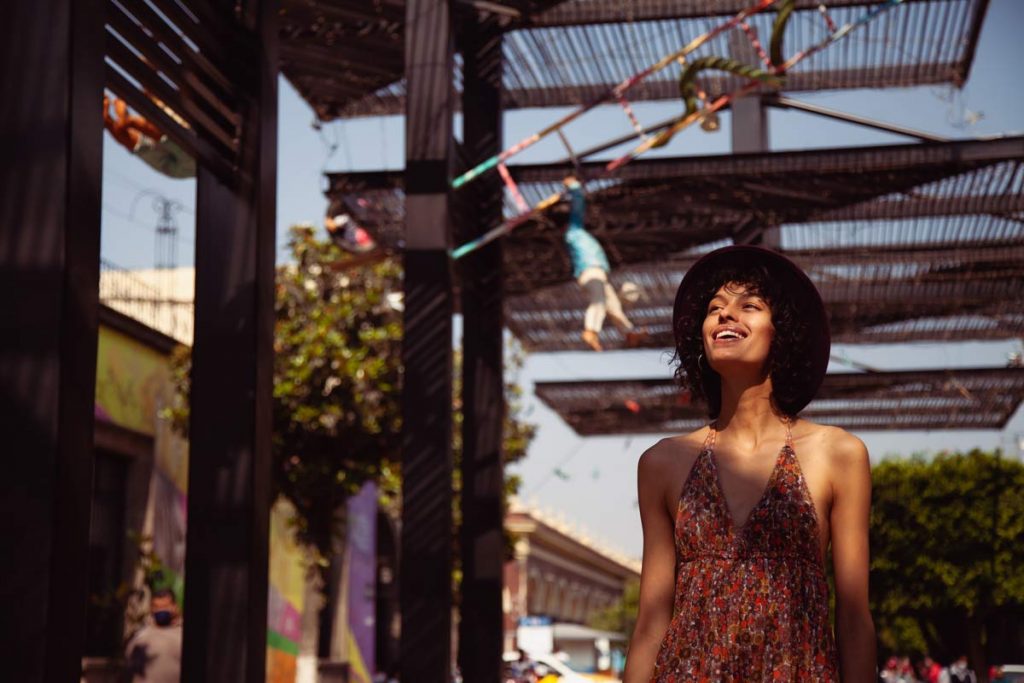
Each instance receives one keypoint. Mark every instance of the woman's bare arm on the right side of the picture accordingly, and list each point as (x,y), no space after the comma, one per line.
(851,508)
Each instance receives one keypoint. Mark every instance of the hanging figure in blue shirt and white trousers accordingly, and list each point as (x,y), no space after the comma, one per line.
(591,268)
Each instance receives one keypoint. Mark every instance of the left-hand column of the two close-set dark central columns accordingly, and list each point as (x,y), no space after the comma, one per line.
(426,461)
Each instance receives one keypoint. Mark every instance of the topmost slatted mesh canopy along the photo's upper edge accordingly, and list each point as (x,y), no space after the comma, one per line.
(346,57)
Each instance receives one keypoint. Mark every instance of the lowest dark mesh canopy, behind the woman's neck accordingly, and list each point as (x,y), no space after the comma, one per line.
(975,399)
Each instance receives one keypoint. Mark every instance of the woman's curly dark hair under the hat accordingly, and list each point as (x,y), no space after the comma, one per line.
(789,364)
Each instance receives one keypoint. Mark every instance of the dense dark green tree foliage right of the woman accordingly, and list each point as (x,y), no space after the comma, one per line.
(948,547)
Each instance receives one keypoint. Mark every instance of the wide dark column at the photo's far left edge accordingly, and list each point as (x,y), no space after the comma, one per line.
(51,170)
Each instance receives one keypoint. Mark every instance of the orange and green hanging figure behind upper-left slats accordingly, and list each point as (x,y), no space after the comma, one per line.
(147,142)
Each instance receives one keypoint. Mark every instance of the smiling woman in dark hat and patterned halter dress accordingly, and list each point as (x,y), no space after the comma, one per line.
(738,516)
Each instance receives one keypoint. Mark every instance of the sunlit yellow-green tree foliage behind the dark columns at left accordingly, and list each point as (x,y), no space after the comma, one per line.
(337,378)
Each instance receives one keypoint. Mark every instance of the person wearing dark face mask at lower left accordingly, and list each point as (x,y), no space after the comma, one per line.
(154,654)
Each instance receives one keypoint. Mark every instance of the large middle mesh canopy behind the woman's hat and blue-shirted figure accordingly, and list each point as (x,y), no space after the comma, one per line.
(922,242)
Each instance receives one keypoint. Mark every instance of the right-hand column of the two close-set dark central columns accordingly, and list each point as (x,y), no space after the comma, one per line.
(481,628)
